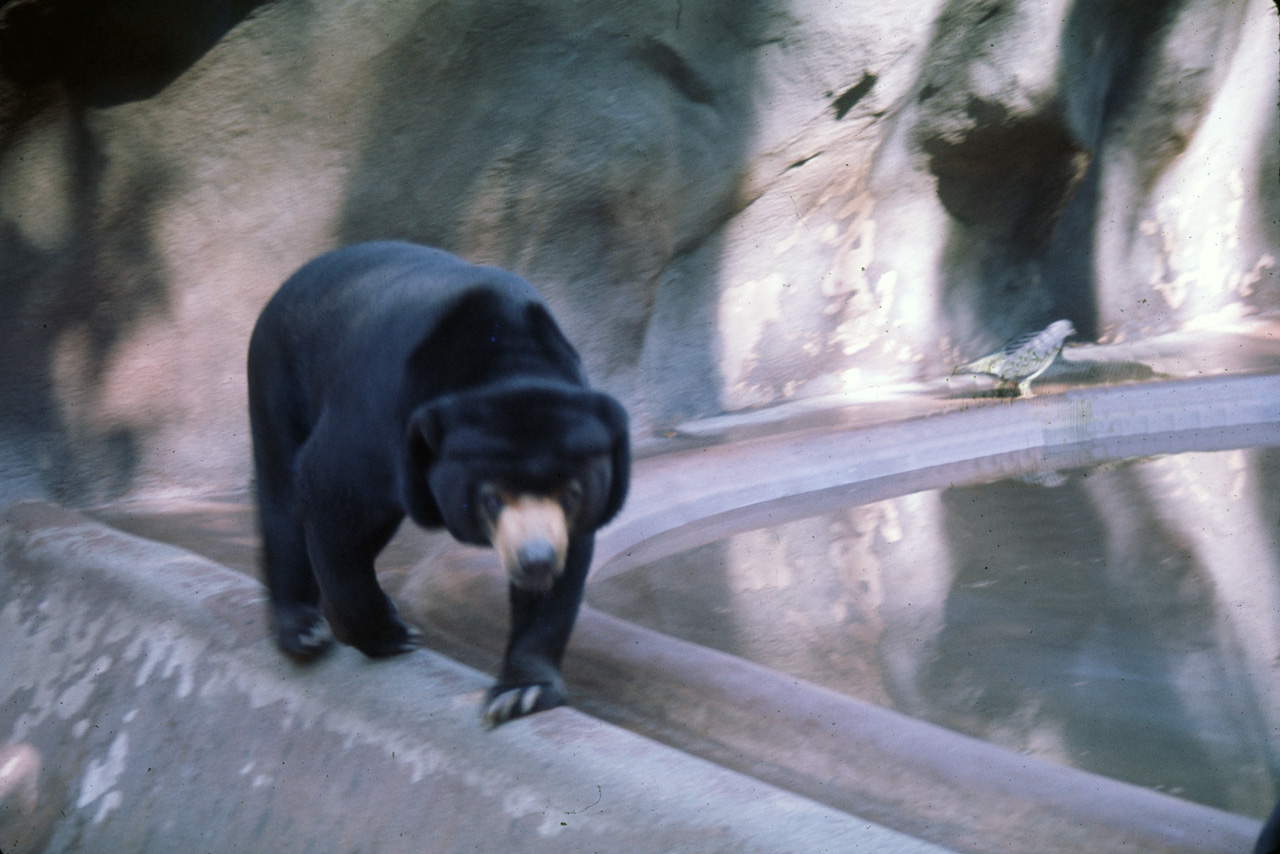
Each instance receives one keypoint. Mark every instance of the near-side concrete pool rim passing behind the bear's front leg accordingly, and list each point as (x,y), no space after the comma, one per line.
(915,777)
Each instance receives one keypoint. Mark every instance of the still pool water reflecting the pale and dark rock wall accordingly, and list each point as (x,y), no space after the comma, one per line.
(1122,619)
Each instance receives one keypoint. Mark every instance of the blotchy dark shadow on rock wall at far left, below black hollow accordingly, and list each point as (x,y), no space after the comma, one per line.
(67,298)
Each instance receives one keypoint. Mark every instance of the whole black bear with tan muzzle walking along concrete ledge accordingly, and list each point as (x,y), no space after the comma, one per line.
(390,380)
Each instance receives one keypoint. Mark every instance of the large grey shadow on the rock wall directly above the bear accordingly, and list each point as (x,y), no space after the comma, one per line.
(593,153)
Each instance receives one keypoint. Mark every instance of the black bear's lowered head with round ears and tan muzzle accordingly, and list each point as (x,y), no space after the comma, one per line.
(520,467)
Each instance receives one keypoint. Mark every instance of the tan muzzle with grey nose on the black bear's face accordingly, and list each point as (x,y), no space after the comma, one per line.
(532,538)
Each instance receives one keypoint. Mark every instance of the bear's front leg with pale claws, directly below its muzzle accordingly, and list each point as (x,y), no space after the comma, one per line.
(541,625)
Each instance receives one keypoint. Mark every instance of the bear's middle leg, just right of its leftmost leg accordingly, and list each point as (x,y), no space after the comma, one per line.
(342,544)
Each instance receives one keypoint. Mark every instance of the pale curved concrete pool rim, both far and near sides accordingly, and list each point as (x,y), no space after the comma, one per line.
(871,761)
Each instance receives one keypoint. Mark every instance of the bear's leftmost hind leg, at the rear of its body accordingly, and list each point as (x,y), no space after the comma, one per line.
(300,631)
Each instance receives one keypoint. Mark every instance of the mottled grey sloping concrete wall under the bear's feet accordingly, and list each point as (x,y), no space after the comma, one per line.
(150,713)
